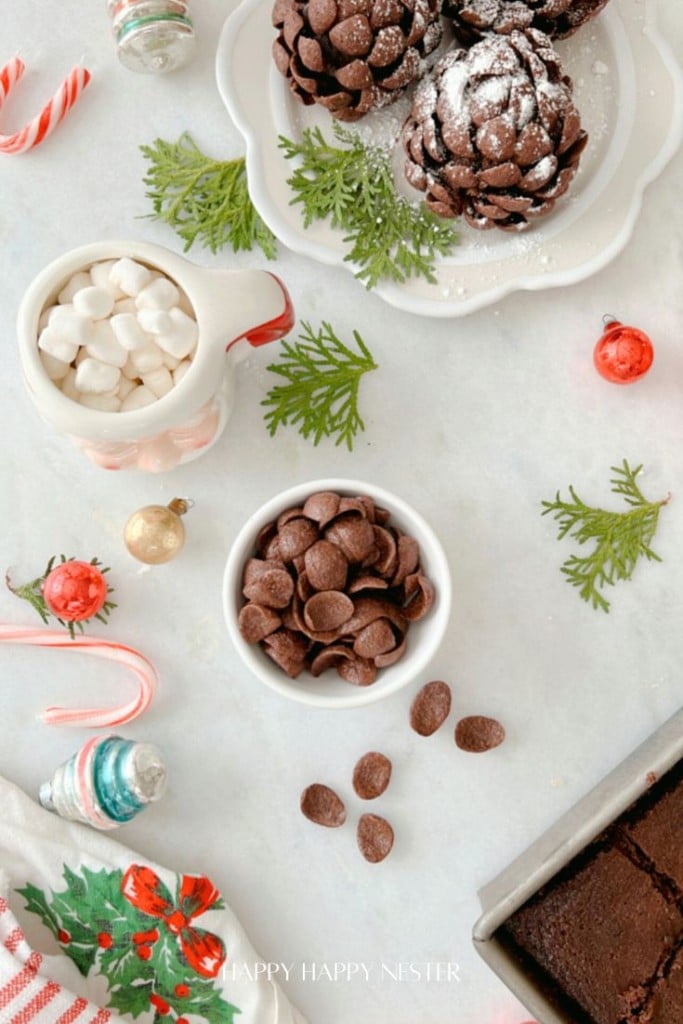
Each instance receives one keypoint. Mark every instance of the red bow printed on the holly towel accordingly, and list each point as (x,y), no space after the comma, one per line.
(205,953)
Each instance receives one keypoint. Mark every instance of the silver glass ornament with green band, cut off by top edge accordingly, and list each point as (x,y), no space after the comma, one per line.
(152,36)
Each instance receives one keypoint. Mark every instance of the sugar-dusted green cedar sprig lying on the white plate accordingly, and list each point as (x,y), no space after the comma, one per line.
(390,238)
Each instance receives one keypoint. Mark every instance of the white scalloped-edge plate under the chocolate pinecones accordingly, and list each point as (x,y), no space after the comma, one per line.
(628,89)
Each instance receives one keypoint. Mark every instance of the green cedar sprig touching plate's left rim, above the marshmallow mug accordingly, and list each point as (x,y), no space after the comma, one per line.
(204,200)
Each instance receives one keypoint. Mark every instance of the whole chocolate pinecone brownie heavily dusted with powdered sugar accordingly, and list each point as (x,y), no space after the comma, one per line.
(494,135)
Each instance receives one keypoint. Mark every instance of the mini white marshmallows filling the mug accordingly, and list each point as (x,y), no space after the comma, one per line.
(120,337)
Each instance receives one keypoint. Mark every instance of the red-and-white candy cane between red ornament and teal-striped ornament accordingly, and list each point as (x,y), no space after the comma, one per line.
(94,718)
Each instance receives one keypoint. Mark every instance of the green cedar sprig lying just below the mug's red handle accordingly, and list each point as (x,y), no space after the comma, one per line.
(322,393)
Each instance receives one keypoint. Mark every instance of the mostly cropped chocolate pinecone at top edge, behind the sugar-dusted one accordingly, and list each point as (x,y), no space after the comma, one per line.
(559,19)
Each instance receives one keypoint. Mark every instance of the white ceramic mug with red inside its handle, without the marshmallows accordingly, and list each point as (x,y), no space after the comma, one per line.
(251,307)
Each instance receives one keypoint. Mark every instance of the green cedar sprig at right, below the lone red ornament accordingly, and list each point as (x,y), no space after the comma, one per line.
(620,538)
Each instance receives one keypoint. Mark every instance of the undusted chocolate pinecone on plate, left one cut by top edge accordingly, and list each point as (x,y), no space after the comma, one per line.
(354,56)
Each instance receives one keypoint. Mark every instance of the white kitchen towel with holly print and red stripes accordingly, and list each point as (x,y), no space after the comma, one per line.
(92,933)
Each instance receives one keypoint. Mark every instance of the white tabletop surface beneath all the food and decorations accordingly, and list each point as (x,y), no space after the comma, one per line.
(475,421)
